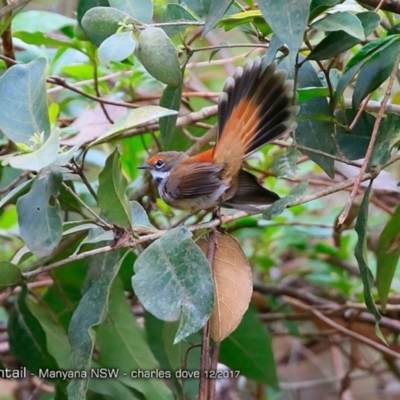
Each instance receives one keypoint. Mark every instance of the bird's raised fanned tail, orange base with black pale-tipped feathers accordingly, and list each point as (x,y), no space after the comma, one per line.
(255,107)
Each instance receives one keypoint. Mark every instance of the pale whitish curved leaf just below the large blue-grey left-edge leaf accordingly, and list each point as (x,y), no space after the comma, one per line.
(41,158)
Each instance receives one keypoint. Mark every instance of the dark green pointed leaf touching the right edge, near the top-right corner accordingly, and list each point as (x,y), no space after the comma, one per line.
(374,72)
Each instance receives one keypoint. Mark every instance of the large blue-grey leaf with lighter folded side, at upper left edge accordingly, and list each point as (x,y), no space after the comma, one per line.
(23,93)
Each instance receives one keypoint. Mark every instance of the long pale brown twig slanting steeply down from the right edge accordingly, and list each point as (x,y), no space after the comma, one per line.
(375,131)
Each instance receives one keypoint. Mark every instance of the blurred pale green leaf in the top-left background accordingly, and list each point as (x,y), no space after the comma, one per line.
(40,21)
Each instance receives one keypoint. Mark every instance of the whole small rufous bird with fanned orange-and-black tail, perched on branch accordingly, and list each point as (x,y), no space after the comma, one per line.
(255,107)
